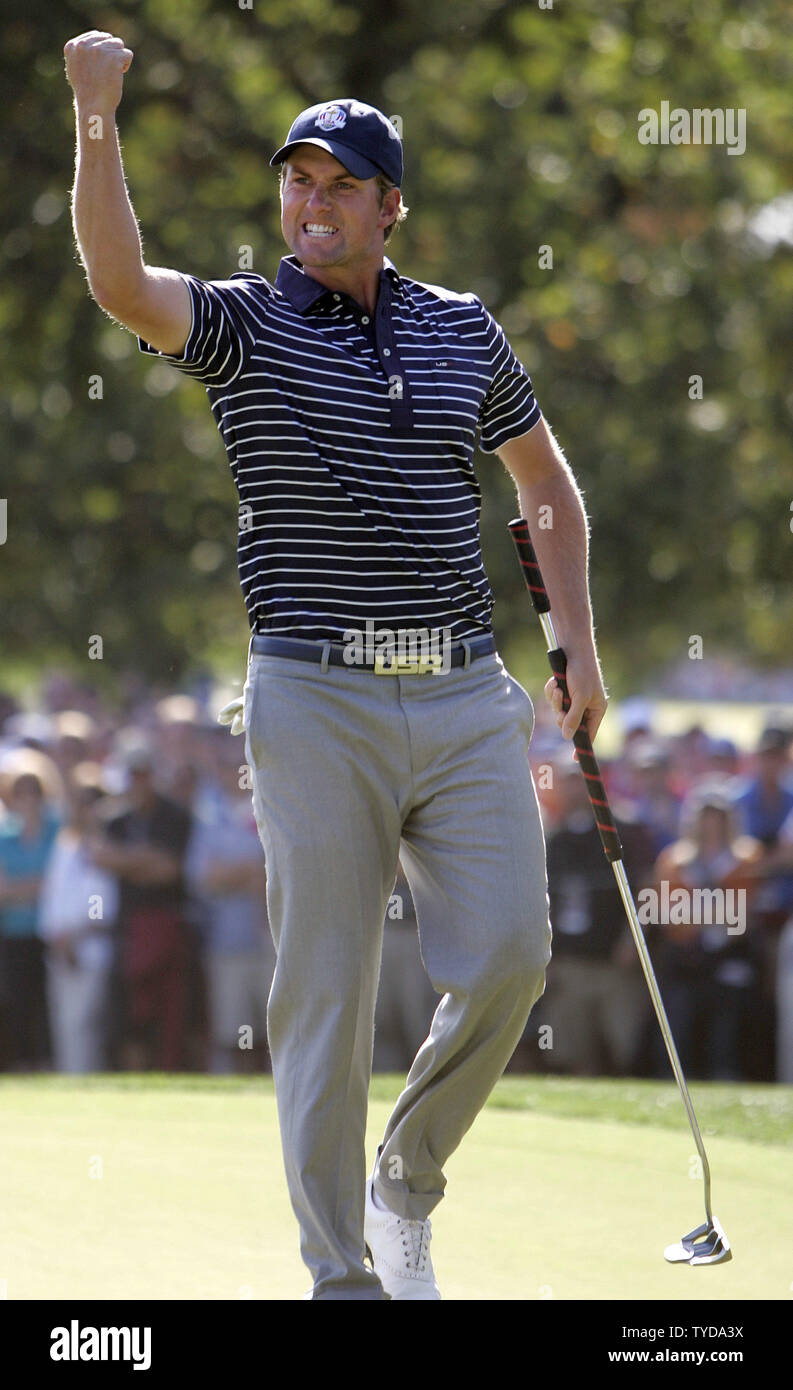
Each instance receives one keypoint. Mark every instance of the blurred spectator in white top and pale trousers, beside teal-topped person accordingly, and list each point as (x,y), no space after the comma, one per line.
(77,913)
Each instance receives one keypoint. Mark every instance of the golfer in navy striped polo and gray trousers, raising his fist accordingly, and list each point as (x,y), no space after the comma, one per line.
(351,401)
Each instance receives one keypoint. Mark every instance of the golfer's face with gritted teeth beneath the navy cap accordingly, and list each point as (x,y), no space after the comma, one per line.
(327,216)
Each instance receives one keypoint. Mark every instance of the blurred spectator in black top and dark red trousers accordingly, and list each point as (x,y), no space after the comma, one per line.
(145,849)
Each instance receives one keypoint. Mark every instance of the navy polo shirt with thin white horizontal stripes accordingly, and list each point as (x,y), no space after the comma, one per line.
(351,440)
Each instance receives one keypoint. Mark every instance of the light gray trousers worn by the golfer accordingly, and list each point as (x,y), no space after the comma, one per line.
(351,769)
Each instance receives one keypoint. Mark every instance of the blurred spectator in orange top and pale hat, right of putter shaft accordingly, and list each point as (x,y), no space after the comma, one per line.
(706,972)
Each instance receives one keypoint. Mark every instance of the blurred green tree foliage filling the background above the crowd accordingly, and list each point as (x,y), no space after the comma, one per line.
(670,263)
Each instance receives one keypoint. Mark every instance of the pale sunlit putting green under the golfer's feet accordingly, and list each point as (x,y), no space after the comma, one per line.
(173,1188)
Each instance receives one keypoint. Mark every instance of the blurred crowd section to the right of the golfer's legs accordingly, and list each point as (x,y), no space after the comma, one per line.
(708,839)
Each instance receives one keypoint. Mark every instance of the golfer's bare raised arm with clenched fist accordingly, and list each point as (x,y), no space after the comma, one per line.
(152,302)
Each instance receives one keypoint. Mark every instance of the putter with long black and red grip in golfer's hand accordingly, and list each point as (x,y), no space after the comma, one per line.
(708,1245)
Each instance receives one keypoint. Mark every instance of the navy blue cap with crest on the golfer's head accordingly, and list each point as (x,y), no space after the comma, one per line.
(360,137)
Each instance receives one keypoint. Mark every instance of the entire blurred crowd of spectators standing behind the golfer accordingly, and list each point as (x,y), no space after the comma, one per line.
(134,931)
